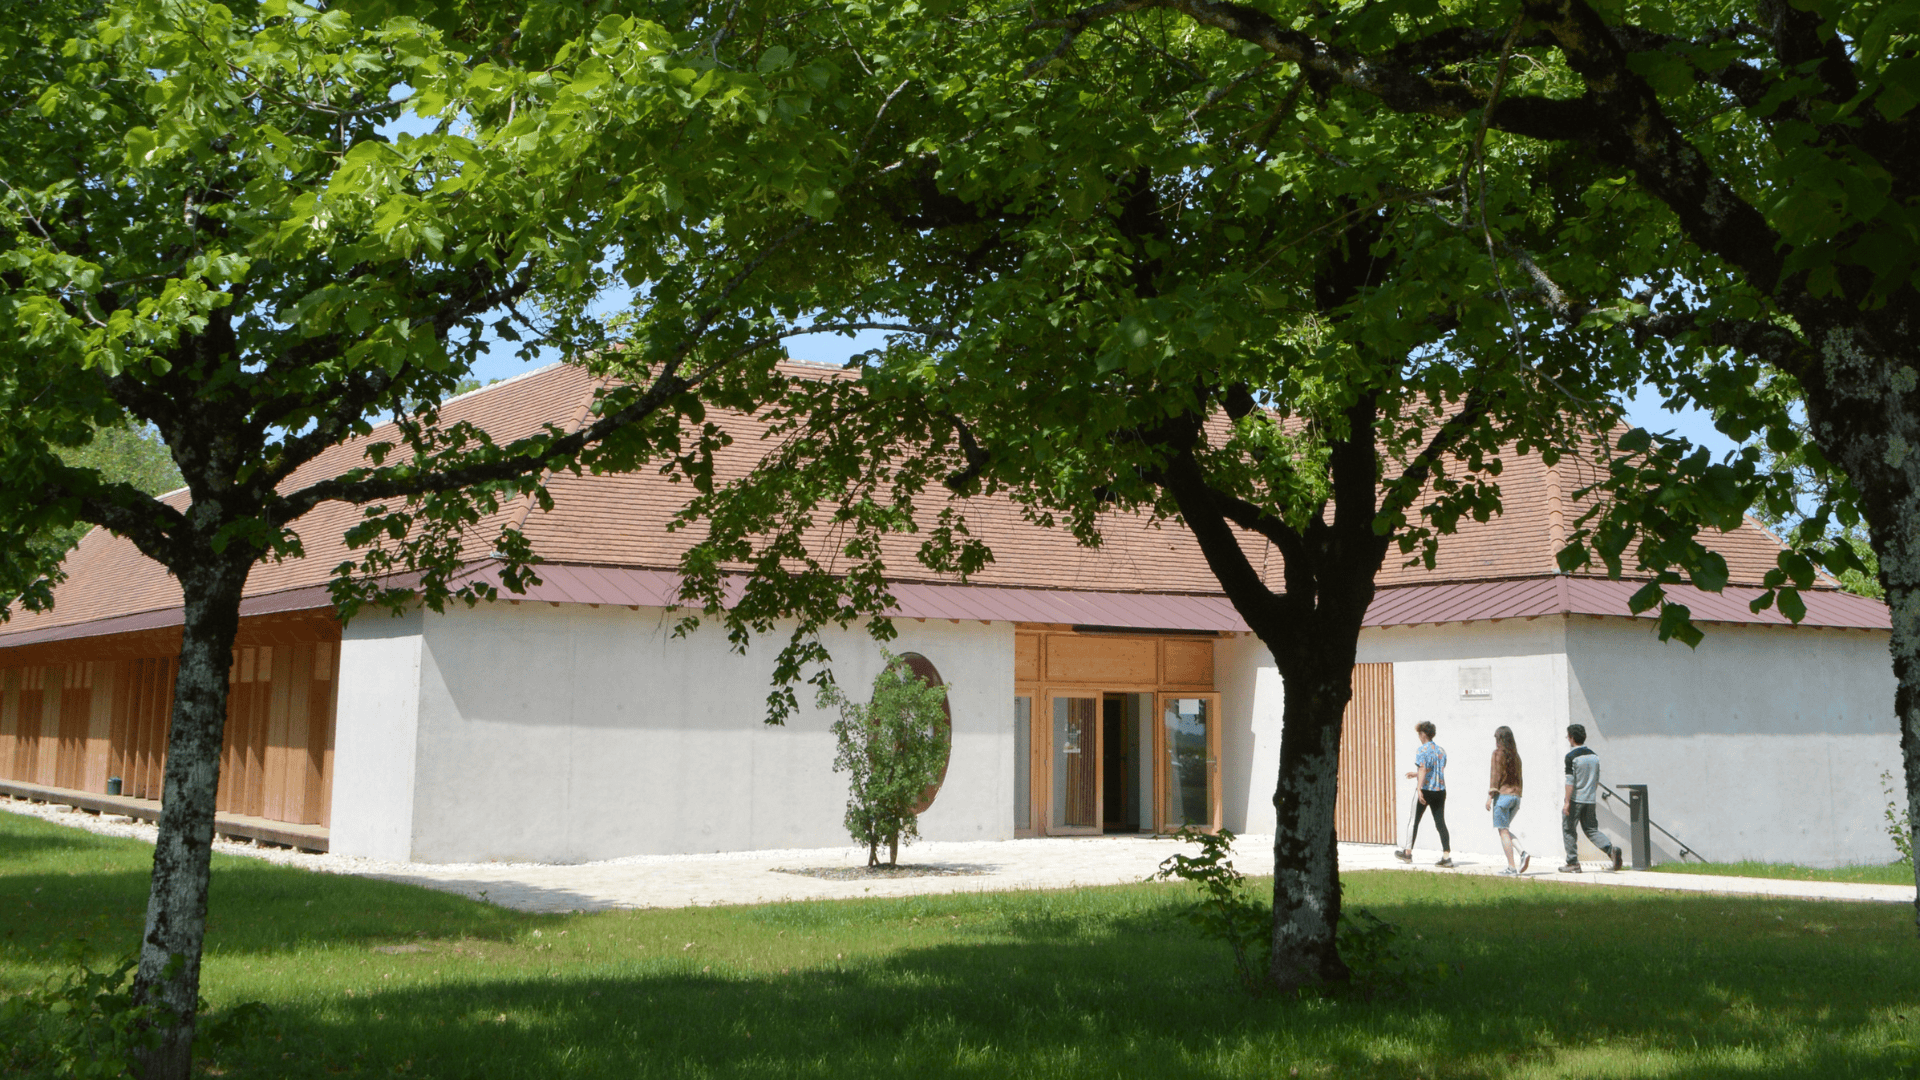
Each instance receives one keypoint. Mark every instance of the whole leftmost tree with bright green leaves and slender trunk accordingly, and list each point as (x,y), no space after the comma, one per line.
(208,228)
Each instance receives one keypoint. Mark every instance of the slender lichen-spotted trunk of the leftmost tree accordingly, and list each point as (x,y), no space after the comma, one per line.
(178,904)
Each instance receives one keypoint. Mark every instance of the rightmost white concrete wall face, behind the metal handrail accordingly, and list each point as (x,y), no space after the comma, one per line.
(1765,743)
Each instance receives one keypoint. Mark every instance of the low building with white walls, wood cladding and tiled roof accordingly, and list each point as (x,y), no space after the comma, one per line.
(1092,691)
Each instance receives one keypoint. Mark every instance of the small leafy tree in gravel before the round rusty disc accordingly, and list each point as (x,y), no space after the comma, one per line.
(892,749)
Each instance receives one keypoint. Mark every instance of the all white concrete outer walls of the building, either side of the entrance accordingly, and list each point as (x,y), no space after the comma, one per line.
(569,733)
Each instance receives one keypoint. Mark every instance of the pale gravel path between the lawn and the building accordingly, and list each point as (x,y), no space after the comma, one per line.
(838,873)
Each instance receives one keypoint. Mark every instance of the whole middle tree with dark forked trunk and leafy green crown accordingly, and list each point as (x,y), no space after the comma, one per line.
(1140,282)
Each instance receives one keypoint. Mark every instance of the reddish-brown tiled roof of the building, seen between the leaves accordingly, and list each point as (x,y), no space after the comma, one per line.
(619,522)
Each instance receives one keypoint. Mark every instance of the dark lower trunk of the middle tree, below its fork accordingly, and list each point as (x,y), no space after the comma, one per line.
(1307,862)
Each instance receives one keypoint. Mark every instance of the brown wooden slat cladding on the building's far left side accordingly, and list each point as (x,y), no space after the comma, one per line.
(78,724)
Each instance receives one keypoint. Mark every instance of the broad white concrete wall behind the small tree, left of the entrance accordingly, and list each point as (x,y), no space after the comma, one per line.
(575,733)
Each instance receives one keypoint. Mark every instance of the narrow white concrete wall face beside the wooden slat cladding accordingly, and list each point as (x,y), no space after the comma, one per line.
(375,737)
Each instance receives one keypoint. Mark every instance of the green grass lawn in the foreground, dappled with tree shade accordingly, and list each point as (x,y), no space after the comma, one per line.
(1552,981)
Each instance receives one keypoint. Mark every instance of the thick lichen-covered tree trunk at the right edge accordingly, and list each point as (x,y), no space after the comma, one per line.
(1863,408)
